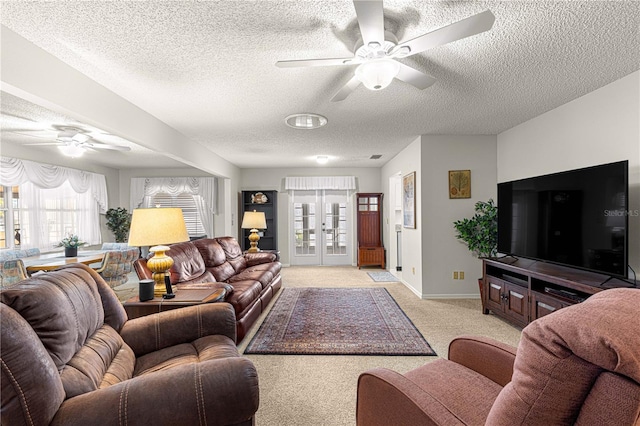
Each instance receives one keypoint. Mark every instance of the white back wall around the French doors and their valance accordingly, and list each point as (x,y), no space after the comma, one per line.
(368,180)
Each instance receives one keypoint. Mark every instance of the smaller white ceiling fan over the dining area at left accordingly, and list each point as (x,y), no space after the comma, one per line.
(72,141)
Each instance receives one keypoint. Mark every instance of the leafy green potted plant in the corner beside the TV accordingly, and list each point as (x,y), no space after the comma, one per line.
(480,233)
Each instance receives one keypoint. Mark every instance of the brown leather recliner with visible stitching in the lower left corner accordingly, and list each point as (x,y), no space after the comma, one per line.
(69,356)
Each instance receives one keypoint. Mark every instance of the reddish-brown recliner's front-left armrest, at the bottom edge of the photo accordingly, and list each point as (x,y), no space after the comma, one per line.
(386,397)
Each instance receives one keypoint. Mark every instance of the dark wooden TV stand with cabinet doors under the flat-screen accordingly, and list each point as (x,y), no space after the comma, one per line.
(522,290)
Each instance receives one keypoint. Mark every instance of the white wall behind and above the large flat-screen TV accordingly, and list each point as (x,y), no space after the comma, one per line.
(600,127)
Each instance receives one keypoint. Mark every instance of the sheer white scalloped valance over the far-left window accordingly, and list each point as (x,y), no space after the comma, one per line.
(14,172)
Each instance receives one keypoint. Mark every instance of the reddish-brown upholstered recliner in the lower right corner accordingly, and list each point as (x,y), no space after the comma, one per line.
(579,365)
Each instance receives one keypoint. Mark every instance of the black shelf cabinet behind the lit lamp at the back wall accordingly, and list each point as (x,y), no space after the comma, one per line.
(261,201)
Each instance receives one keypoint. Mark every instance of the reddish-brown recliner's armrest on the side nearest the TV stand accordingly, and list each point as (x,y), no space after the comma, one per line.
(485,356)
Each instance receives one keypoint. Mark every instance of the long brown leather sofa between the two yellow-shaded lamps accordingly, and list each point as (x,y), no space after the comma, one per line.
(251,279)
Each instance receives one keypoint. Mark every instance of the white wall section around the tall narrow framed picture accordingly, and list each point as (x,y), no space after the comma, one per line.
(407,161)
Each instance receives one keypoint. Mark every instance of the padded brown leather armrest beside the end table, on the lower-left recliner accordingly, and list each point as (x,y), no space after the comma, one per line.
(154,332)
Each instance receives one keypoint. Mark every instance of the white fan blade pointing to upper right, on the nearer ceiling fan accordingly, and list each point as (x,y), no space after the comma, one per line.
(472,25)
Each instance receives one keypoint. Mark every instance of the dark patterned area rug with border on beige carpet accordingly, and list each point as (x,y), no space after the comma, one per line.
(337,321)
